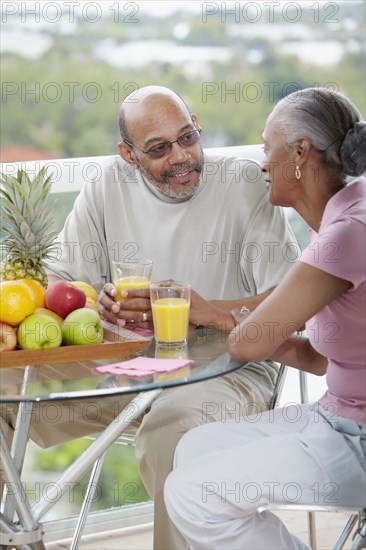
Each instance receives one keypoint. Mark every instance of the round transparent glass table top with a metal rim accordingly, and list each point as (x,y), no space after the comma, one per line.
(74,380)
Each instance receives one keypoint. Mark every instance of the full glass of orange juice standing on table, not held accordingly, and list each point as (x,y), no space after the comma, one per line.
(170,303)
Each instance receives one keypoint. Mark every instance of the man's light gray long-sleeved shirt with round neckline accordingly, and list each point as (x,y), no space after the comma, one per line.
(227,241)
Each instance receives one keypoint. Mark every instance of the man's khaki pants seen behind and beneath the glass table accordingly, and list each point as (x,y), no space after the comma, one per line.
(177,410)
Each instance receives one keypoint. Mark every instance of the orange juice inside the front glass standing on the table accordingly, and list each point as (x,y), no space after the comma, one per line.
(171,317)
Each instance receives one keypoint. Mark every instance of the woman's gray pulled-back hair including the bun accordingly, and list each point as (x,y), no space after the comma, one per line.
(332,123)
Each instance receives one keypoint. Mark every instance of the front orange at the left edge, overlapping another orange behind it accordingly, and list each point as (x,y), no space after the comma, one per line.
(17,301)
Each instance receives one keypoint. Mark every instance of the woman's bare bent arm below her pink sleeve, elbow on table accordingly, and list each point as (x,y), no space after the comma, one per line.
(268,331)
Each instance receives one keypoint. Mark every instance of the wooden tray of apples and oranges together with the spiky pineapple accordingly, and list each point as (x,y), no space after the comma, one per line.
(44,321)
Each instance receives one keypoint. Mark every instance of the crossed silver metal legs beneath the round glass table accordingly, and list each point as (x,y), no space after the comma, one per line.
(29,534)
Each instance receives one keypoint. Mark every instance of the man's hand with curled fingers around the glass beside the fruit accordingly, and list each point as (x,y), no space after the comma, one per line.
(136,309)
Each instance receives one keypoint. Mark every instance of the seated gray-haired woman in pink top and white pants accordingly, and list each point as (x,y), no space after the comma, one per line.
(314,454)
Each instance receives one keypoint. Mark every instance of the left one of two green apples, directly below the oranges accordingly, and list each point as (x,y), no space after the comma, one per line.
(39,331)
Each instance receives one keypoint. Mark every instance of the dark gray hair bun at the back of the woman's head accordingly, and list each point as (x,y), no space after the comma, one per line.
(353,150)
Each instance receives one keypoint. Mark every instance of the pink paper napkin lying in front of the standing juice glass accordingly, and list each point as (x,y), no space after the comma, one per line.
(143,366)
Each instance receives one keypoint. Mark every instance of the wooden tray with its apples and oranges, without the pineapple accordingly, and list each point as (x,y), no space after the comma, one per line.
(44,336)
